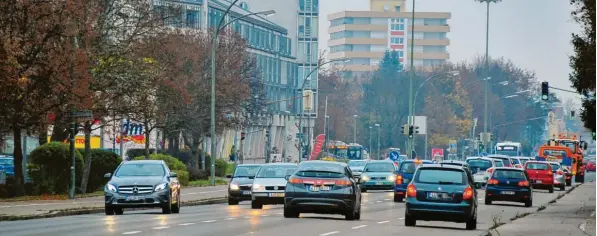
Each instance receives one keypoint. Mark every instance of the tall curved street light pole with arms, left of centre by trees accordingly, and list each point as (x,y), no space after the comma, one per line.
(214,42)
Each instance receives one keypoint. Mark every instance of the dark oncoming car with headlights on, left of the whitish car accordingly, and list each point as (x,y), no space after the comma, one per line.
(241,182)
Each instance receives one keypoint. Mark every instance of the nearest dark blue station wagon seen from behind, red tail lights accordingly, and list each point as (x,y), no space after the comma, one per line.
(441,193)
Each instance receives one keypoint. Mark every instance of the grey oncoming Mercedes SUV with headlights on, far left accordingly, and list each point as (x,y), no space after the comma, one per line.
(143,183)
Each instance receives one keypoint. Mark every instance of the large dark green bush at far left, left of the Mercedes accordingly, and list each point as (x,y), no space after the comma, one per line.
(50,168)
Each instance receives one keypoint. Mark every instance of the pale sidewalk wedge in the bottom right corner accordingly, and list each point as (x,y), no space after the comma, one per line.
(573,214)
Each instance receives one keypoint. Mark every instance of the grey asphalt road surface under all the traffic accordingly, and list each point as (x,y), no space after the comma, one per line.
(380,216)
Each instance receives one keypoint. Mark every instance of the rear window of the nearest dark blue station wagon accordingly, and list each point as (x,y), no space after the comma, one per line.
(441,176)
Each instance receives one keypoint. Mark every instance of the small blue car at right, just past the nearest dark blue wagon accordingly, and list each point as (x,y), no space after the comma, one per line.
(509,184)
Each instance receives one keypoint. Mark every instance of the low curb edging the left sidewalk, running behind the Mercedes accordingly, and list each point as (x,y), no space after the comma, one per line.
(96,210)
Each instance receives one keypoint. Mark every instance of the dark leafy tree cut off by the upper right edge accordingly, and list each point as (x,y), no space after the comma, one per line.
(583,60)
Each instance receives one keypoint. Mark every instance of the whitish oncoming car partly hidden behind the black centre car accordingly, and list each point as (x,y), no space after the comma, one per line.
(270,184)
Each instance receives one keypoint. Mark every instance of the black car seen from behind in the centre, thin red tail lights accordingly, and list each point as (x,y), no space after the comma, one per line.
(322,187)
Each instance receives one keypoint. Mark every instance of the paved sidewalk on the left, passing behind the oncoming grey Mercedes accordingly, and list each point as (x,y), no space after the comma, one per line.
(40,207)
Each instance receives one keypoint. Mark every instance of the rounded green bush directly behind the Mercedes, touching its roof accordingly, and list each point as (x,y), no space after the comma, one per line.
(102,162)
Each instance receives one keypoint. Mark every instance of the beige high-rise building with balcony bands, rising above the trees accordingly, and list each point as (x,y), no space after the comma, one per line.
(364,36)
